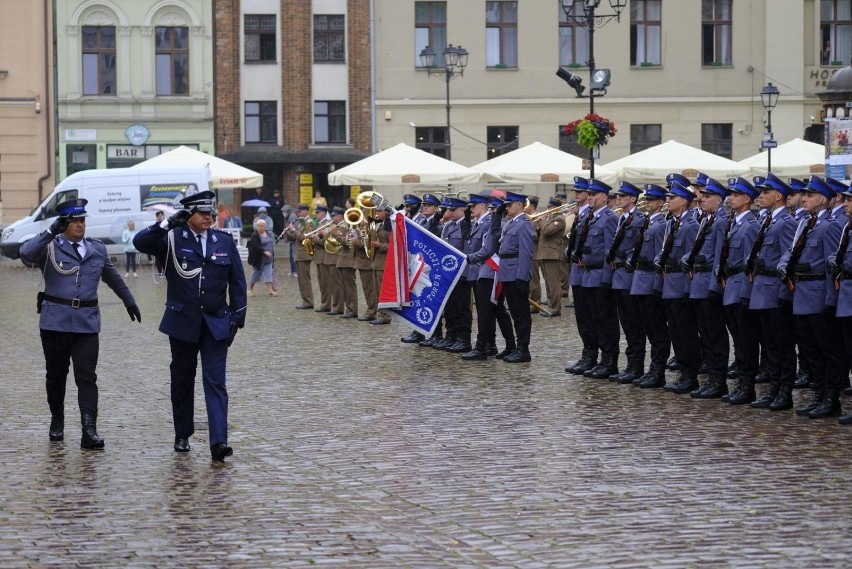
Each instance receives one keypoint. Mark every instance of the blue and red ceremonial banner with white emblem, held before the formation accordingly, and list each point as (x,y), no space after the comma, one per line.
(420,272)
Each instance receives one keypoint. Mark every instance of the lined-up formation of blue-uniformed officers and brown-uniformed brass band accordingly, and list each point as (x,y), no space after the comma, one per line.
(697,268)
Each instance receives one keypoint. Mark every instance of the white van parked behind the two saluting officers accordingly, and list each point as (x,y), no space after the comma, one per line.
(115,196)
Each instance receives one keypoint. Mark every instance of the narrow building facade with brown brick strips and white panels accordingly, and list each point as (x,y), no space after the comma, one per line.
(293,91)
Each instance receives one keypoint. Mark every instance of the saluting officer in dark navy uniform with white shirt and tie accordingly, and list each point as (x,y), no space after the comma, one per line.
(205,305)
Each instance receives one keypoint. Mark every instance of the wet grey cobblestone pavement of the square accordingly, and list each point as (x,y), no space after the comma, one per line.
(352,449)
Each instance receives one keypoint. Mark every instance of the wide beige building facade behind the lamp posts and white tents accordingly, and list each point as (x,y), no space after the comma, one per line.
(689,71)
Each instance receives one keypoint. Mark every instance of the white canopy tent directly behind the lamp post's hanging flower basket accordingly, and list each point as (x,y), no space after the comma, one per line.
(538,163)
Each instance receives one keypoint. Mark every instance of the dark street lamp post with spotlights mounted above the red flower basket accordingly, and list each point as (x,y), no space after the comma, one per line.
(599,78)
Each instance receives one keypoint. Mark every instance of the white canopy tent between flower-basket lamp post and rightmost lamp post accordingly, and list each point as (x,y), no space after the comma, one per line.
(654,164)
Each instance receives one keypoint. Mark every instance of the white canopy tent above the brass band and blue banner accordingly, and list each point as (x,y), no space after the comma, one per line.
(403,165)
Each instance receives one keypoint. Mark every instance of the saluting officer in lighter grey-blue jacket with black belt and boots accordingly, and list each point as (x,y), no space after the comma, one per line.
(70,320)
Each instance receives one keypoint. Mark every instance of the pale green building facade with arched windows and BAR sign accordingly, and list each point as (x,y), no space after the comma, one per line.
(134,80)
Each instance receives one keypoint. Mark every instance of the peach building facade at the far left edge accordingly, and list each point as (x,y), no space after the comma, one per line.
(27,168)
